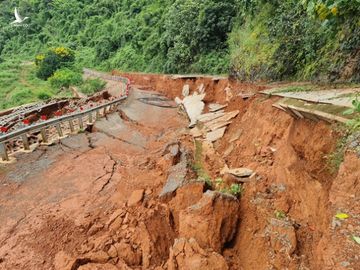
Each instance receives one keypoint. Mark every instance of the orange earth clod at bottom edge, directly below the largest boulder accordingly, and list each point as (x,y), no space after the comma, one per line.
(186,254)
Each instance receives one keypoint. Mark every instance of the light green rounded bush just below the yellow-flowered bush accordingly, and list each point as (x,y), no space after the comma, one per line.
(65,78)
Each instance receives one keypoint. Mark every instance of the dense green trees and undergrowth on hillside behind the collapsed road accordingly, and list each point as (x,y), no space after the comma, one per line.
(251,39)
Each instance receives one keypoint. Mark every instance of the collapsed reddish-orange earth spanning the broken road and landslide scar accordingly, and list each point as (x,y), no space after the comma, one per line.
(125,195)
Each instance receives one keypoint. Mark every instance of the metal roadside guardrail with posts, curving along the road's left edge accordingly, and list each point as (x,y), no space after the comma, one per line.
(23,132)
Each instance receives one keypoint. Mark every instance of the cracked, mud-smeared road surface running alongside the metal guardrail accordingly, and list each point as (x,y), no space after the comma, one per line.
(80,174)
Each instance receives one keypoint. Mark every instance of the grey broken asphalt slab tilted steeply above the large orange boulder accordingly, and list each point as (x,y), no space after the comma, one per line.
(177,176)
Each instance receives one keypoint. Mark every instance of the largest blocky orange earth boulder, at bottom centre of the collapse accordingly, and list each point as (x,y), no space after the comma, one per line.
(212,221)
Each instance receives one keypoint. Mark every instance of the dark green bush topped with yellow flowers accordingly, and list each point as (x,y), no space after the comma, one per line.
(53,60)
